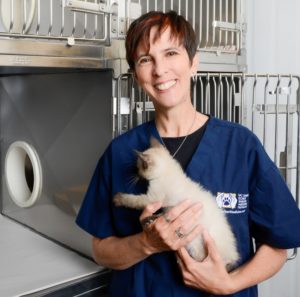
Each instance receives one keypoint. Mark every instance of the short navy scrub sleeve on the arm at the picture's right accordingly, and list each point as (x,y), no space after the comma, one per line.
(274,214)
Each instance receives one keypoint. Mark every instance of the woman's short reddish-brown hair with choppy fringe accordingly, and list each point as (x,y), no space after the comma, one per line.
(139,31)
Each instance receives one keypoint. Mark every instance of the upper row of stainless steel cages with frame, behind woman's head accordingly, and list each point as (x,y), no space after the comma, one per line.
(91,29)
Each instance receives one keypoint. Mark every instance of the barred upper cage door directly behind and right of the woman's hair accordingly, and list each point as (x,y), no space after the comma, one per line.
(218,23)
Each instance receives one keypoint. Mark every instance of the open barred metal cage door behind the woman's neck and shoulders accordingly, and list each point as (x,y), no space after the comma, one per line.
(267,104)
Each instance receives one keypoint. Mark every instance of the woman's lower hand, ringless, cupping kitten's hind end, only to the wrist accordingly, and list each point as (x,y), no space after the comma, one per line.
(209,275)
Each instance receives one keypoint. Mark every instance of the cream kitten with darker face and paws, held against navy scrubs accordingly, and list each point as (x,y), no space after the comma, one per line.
(169,184)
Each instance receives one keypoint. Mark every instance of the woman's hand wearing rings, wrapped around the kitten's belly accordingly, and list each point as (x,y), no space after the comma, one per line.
(173,230)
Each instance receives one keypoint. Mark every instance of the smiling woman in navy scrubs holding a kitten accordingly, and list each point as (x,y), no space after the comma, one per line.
(225,158)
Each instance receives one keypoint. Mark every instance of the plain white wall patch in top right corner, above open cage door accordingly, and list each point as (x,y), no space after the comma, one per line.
(273,42)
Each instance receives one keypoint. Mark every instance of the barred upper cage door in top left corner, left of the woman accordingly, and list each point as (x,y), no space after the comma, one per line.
(55,20)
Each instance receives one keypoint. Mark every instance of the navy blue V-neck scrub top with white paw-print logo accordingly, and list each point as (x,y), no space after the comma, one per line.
(230,162)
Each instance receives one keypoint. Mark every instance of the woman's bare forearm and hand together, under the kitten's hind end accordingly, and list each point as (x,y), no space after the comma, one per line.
(210,275)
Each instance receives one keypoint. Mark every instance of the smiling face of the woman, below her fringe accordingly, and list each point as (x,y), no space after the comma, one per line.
(165,71)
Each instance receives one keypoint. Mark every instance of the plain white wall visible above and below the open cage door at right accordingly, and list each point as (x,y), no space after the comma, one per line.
(273,46)
